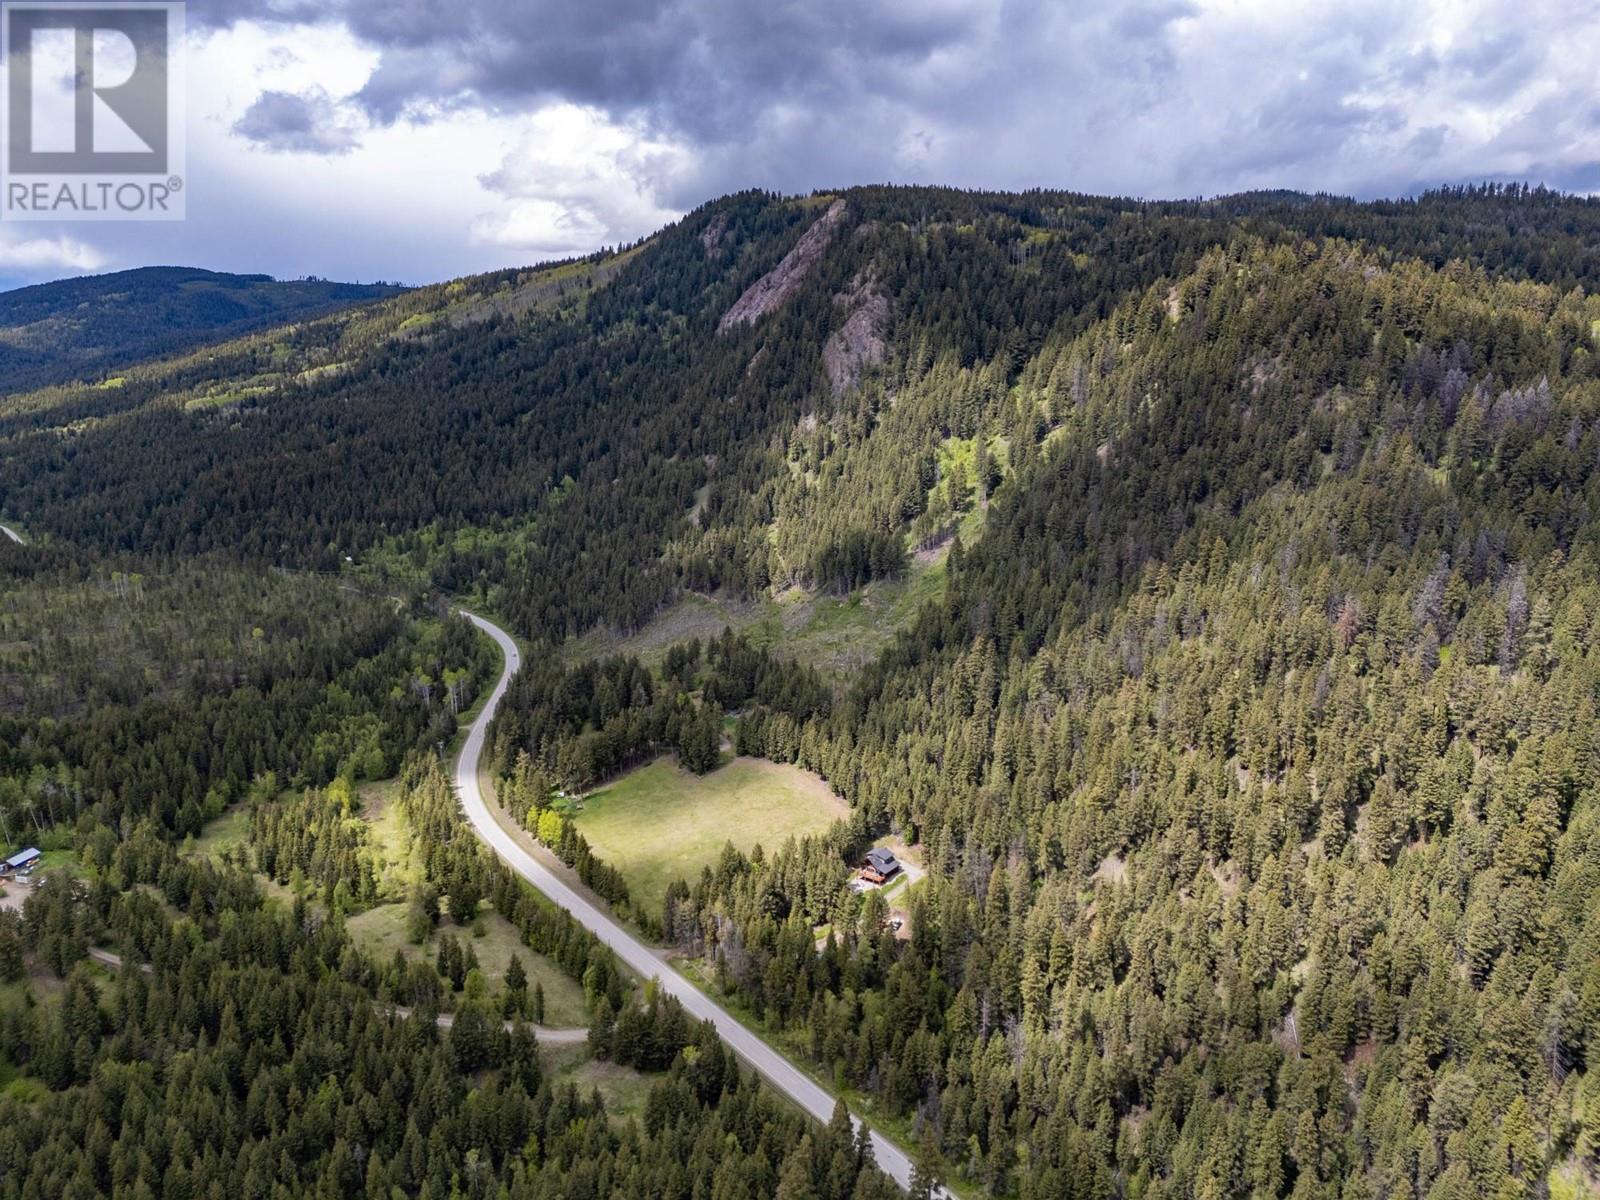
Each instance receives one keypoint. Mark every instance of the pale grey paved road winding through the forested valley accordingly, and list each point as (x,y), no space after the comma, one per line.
(777,1070)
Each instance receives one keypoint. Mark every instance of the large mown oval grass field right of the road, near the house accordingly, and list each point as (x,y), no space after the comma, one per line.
(662,823)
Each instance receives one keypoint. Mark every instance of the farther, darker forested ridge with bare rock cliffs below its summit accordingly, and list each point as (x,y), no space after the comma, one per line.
(442,426)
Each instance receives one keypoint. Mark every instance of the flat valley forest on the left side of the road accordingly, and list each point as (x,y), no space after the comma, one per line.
(249,1046)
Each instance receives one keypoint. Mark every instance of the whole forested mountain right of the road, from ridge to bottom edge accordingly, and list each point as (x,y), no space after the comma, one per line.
(1250,735)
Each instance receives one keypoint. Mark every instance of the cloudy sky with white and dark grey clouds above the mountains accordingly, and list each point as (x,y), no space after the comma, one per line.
(420,140)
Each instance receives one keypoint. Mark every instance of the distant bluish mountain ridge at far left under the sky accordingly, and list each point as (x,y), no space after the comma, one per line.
(82,327)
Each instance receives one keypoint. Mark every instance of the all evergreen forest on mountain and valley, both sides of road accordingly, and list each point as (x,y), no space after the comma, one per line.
(1247,724)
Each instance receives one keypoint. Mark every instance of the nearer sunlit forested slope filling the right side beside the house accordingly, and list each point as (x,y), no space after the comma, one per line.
(1252,748)
